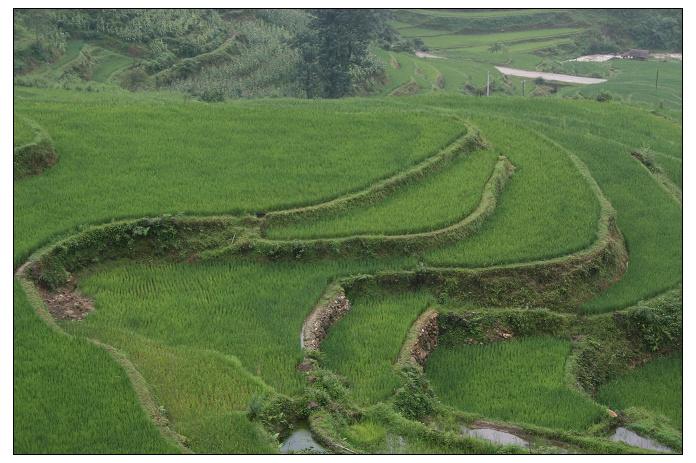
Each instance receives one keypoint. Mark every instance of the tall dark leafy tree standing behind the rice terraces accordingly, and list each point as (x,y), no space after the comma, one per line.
(336,40)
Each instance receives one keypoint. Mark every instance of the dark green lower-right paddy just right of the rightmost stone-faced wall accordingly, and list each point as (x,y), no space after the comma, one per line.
(518,381)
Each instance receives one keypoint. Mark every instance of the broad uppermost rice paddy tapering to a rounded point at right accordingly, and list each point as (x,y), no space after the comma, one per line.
(126,172)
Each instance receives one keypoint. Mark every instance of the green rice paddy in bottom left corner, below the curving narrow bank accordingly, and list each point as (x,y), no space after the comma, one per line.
(73,400)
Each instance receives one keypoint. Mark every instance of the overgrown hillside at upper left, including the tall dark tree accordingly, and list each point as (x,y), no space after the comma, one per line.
(208,53)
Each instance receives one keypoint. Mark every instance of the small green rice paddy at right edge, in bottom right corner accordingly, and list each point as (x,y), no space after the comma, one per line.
(656,386)
